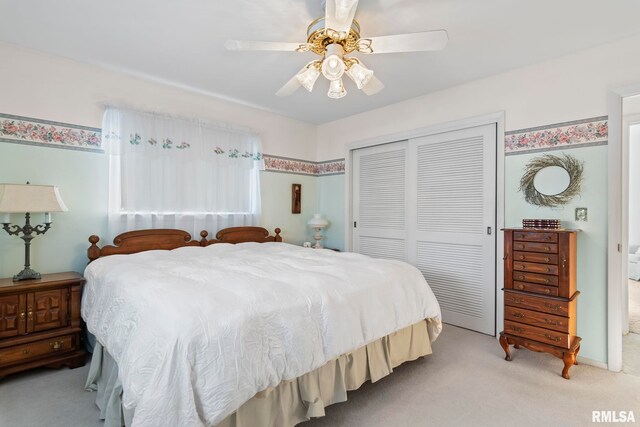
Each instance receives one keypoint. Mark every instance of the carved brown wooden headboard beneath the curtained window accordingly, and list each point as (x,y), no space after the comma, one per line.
(153,239)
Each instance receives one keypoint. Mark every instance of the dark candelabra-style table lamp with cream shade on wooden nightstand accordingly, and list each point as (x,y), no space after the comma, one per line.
(28,199)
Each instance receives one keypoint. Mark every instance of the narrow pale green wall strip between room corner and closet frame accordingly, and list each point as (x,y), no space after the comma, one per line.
(331,191)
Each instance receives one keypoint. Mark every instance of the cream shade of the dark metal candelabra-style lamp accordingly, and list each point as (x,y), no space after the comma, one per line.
(22,198)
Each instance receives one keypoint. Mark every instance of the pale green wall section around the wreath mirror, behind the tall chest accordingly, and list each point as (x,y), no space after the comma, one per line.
(592,241)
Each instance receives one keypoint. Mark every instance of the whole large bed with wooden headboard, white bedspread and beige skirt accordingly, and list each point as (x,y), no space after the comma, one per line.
(243,330)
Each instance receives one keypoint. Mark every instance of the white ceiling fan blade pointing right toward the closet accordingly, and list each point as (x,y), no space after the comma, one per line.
(416,42)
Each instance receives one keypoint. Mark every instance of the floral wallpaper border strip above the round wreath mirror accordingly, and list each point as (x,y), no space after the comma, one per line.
(575,134)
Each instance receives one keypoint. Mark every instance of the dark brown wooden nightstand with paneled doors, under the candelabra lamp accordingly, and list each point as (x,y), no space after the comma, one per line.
(40,323)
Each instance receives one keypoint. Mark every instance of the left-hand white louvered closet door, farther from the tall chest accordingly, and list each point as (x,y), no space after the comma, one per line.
(379,195)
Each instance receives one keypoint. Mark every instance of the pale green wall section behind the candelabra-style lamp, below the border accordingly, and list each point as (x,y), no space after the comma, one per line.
(82,179)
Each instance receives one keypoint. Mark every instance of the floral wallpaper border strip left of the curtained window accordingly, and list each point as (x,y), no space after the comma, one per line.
(30,131)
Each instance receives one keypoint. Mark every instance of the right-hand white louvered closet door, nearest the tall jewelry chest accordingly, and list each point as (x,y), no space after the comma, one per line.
(454,208)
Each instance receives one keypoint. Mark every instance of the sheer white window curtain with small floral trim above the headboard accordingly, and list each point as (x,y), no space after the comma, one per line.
(167,172)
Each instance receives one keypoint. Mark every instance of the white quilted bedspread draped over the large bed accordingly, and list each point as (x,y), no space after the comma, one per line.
(196,332)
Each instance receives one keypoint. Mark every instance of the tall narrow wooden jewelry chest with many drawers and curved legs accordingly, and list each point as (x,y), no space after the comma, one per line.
(540,295)
